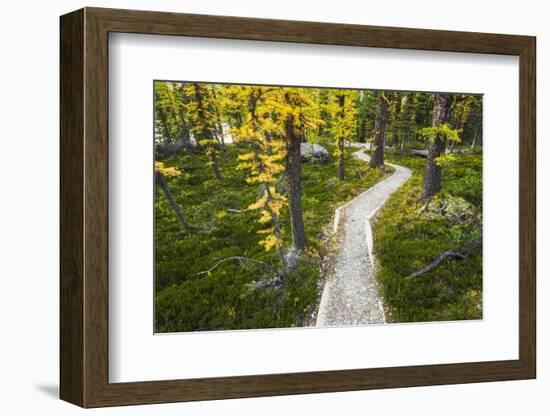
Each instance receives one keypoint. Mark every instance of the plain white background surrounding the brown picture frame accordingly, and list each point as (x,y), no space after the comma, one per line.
(29,205)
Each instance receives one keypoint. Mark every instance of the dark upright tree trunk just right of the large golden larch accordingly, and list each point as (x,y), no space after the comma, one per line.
(293,171)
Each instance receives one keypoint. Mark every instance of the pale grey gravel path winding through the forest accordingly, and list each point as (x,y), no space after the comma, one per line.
(350,295)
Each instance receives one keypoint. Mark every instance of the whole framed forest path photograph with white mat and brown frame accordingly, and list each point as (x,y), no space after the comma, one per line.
(255,207)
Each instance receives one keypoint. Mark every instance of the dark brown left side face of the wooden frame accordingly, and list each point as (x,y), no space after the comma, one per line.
(71,208)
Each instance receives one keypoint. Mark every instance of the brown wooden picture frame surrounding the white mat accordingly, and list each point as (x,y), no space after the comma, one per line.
(84,207)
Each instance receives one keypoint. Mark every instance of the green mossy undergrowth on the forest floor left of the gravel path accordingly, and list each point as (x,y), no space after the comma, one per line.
(222,299)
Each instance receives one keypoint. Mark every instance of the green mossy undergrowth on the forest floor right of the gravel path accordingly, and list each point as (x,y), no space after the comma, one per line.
(406,239)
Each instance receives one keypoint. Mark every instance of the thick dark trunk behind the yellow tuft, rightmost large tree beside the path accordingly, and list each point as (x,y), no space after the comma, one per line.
(432,175)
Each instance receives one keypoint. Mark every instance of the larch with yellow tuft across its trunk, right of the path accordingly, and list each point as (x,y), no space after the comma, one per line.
(437,135)
